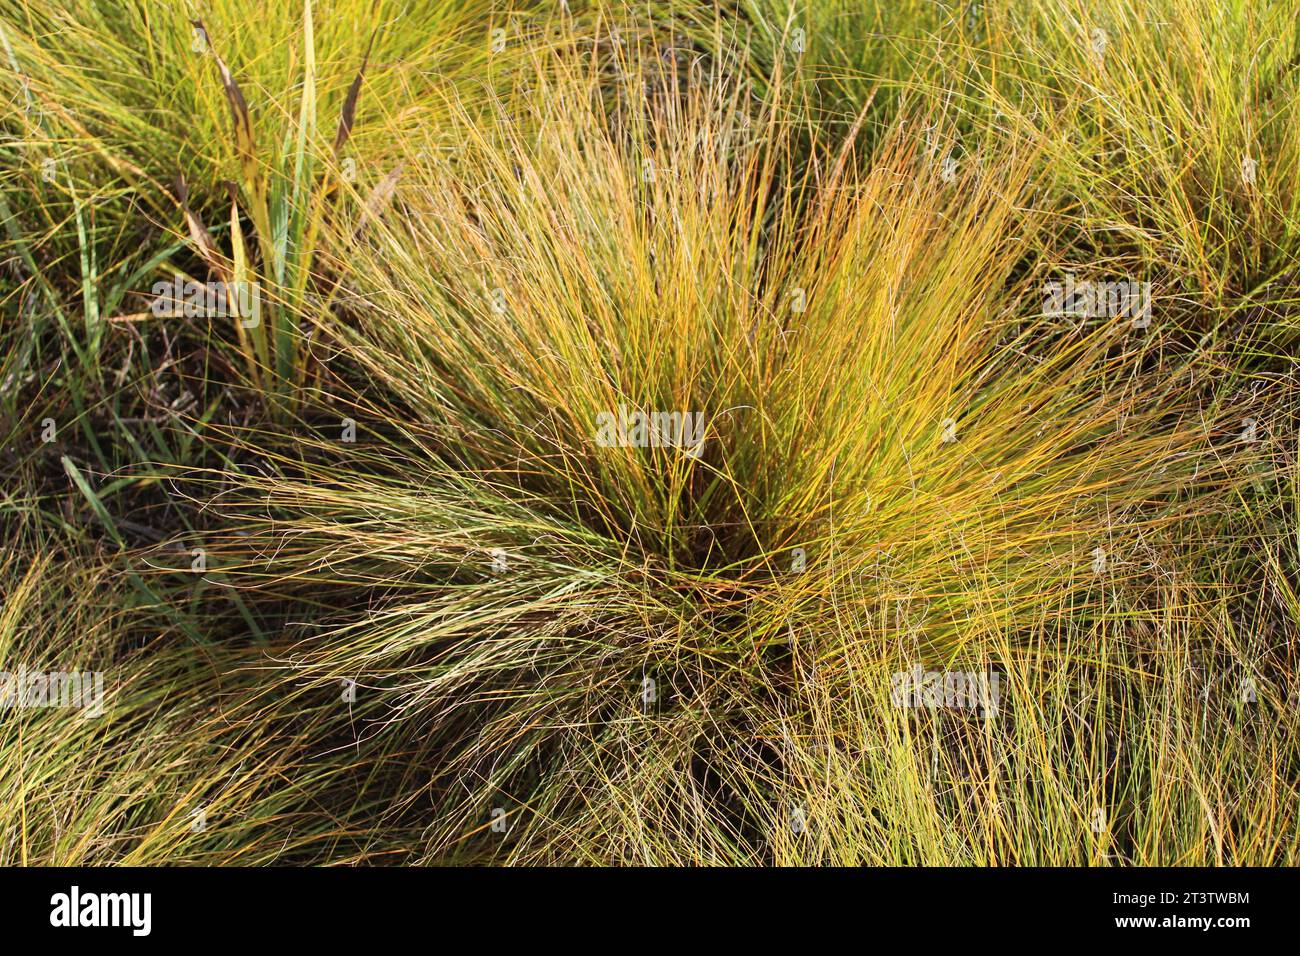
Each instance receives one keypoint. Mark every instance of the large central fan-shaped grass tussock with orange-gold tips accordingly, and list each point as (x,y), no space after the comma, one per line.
(525,583)
